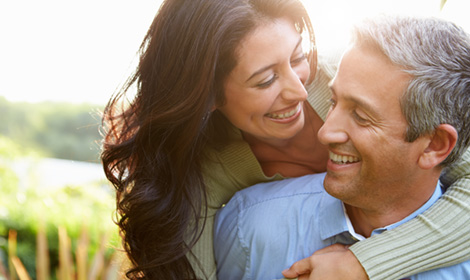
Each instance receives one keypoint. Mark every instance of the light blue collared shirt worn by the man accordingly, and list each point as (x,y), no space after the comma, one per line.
(264,229)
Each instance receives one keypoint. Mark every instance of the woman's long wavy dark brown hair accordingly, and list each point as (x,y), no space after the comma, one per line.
(153,147)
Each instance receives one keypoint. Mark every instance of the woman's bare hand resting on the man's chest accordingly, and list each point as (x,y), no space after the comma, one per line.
(330,263)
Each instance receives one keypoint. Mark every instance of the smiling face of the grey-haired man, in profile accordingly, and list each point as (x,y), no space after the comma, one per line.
(370,162)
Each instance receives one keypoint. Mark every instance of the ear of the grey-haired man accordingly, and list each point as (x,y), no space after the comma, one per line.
(441,143)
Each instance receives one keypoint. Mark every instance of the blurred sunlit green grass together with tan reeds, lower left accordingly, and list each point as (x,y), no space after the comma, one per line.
(49,232)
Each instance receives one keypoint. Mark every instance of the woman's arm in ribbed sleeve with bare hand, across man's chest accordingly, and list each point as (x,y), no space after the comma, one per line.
(437,238)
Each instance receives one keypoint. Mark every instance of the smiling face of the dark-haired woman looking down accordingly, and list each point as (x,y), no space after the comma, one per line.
(265,92)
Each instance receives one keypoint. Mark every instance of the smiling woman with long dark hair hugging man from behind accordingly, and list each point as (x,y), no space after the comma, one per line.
(207,121)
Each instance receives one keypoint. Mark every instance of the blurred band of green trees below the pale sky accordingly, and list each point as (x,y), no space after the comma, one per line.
(57,130)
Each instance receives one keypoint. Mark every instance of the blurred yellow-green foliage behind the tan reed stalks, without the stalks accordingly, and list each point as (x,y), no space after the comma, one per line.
(26,208)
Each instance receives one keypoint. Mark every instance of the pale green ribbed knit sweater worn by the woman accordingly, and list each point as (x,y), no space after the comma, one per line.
(437,238)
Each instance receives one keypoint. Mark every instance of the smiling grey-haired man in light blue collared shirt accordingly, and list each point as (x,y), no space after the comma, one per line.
(399,115)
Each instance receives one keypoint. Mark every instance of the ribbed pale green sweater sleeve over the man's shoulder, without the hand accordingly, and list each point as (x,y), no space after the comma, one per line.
(437,238)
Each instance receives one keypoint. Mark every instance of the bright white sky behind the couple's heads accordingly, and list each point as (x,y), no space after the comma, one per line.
(81,51)
